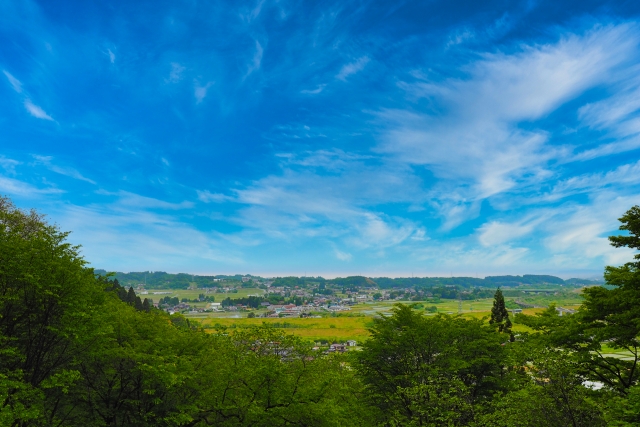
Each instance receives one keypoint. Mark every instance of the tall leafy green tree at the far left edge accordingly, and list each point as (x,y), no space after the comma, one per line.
(47,297)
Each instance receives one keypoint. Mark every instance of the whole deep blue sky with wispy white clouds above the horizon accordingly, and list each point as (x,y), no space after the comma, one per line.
(332,138)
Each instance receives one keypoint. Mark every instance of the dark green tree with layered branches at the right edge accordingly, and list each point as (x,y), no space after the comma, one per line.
(609,315)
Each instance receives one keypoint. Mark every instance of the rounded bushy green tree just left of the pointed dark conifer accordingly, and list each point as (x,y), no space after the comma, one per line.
(430,370)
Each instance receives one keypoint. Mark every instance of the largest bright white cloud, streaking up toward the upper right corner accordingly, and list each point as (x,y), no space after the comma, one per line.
(475,146)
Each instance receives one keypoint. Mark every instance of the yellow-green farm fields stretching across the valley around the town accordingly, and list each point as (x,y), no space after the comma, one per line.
(322,325)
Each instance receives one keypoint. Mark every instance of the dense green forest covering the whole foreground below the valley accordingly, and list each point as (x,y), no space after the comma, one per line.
(77,349)
